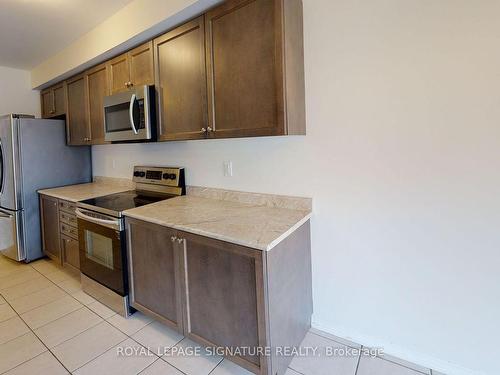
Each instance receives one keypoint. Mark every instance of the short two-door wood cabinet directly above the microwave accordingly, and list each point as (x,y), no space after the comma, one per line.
(134,68)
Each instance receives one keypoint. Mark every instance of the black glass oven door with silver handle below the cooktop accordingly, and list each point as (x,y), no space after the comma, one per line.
(102,256)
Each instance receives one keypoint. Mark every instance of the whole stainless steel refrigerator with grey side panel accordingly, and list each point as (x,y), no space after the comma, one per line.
(33,156)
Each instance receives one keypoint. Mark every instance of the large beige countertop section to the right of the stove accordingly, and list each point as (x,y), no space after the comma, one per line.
(257,226)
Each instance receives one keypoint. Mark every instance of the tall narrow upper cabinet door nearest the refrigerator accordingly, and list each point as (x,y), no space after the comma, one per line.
(76,119)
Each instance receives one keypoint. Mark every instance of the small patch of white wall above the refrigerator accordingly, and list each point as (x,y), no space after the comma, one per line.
(16,95)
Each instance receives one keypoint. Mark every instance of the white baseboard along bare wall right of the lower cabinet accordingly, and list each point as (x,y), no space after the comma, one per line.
(396,351)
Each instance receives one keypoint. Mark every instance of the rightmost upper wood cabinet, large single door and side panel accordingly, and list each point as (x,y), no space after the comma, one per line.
(255,68)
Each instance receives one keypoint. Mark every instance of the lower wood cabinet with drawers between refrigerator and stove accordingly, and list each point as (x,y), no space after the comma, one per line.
(60,231)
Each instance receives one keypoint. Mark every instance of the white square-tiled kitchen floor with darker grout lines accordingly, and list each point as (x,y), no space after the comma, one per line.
(48,325)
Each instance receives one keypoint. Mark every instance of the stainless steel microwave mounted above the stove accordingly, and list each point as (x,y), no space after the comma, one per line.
(130,115)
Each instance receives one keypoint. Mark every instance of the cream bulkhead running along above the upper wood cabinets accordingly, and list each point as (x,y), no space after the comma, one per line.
(138,21)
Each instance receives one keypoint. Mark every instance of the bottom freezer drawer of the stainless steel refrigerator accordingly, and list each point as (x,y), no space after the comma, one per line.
(11,238)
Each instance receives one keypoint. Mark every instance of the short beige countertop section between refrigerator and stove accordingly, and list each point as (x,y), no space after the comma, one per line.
(101,186)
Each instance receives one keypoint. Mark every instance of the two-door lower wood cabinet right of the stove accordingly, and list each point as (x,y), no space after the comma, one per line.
(221,294)
